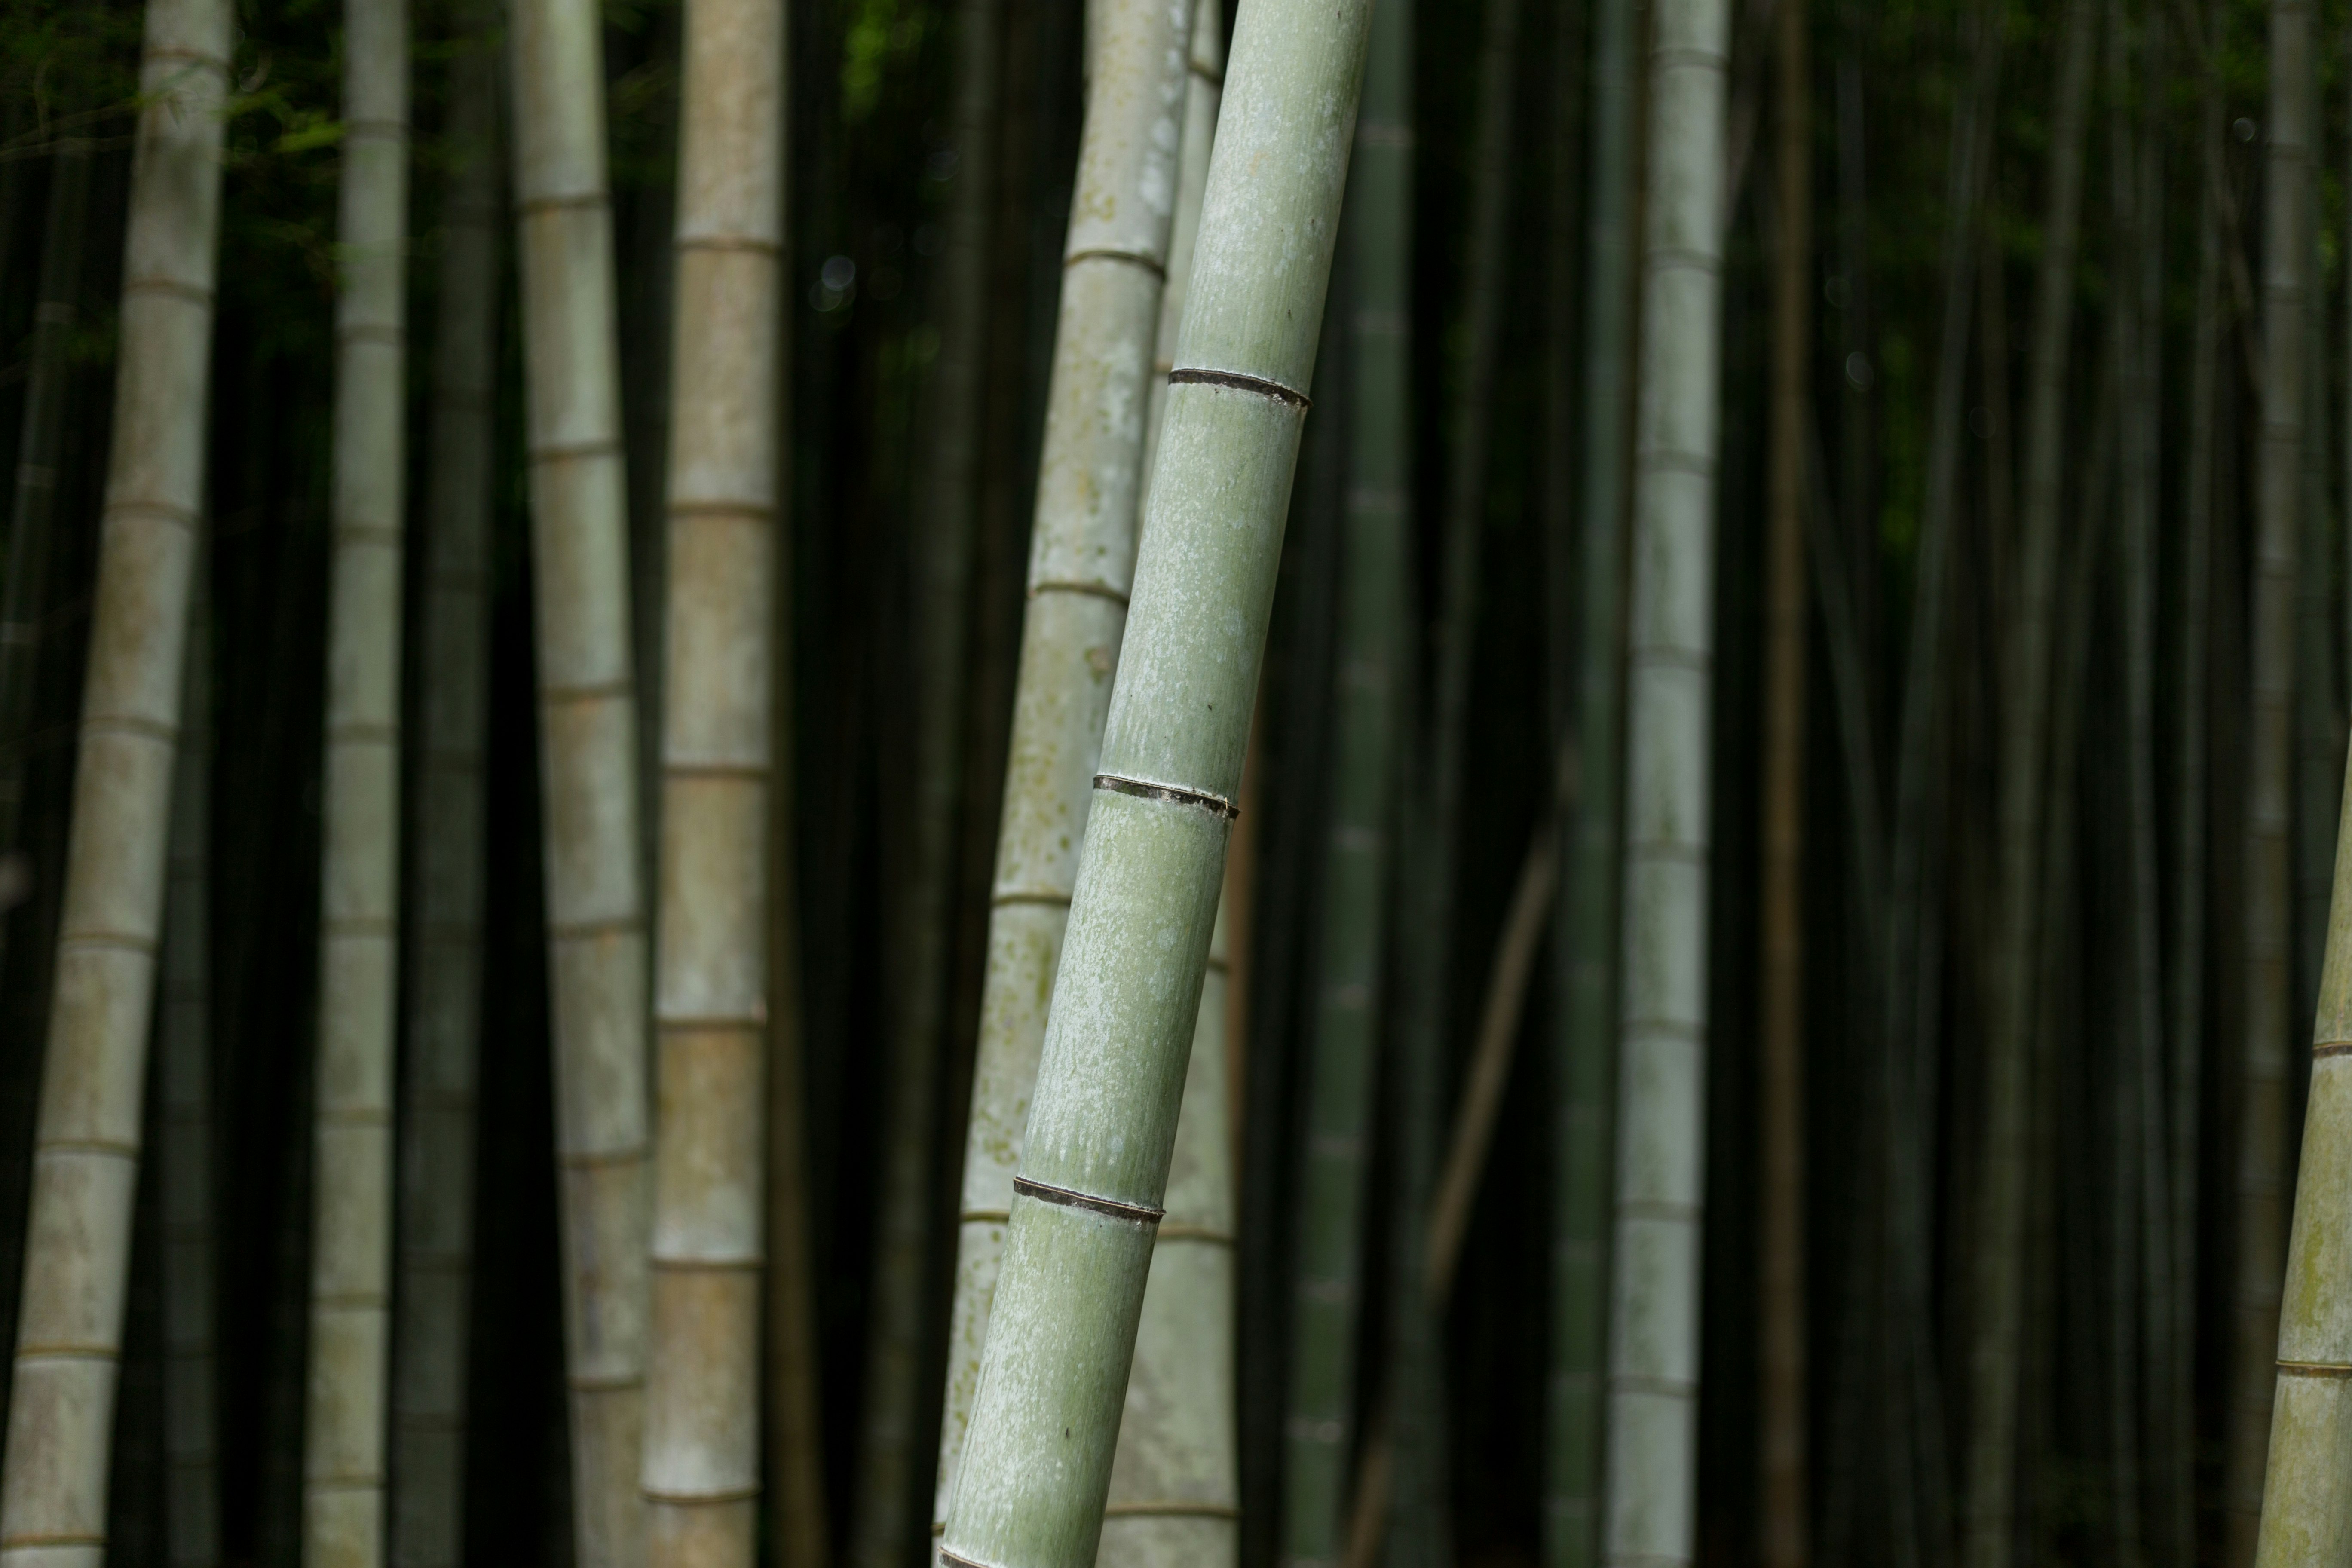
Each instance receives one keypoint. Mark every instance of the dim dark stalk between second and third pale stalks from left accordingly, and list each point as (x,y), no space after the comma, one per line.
(446,937)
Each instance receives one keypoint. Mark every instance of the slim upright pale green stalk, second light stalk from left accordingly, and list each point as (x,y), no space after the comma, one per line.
(352,1172)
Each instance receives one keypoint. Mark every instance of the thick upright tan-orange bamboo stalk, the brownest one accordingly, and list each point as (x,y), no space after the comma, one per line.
(702,1391)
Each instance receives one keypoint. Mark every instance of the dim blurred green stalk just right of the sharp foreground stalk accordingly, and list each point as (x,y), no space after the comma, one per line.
(1361,840)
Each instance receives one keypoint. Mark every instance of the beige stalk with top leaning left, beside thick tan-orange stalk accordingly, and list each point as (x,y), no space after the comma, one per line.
(589,756)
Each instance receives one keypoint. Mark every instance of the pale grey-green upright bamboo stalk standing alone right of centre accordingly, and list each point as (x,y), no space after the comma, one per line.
(1669,676)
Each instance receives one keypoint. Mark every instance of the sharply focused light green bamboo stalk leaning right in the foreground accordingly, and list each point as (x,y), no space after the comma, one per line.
(1095,1170)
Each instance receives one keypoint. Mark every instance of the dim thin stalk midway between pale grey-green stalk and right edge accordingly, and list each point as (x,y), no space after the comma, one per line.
(1998,1266)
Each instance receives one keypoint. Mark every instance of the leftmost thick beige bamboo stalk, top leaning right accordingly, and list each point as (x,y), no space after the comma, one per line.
(86,1144)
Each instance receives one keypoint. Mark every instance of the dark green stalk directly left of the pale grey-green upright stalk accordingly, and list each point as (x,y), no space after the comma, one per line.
(1586,932)
